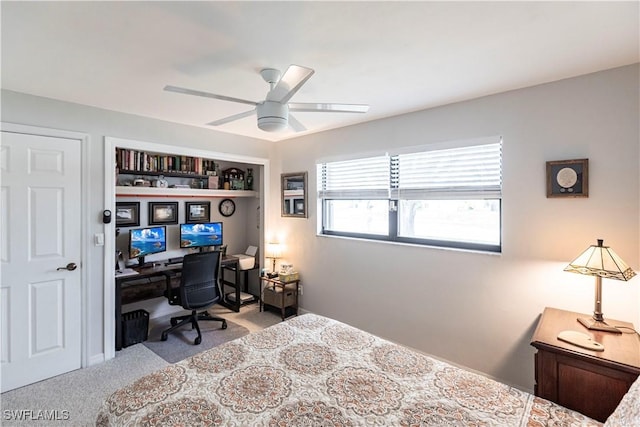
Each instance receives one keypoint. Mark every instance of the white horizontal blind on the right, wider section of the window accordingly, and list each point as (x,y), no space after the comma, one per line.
(456,173)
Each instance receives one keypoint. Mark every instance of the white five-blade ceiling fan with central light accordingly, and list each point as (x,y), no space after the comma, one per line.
(273,112)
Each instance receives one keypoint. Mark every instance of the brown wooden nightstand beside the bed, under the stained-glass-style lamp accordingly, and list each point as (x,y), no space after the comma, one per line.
(590,382)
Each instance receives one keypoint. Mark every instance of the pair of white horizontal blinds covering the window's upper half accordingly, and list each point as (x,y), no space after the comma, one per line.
(467,172)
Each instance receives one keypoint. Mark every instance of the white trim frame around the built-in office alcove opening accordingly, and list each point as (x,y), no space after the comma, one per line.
(110,145)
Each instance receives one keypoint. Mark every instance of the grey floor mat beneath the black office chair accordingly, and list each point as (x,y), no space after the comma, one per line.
(179,344)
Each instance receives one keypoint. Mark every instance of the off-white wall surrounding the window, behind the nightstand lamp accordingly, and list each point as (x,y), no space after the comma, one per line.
(476,309)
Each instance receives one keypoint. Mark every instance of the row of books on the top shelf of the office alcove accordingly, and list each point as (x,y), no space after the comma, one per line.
(133,160)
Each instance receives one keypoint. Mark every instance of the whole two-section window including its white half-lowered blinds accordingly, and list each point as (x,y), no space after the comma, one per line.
(448,197)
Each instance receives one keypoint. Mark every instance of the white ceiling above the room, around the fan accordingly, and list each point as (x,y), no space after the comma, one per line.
(396,57)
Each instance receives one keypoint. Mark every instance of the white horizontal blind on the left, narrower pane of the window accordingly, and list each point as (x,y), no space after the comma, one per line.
(366,178)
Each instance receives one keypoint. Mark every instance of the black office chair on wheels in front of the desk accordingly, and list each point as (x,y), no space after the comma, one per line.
(198,290)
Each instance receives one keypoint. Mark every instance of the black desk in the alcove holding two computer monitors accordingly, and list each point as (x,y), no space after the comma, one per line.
(159,269)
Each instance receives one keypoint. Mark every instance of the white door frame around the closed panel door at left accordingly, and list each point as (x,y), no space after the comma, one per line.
(85,185)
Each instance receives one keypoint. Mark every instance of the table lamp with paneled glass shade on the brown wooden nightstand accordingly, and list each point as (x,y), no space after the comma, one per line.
(600,261)
